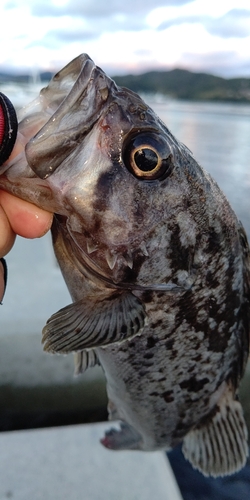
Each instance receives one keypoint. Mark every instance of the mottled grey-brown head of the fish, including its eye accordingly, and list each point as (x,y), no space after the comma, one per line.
(111,167)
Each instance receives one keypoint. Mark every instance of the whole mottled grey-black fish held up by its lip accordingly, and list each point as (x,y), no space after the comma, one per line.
(156,262)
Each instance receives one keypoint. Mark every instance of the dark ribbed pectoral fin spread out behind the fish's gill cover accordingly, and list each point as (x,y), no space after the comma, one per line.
(91,323)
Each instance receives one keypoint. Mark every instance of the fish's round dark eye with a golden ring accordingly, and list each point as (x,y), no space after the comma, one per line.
(147,156)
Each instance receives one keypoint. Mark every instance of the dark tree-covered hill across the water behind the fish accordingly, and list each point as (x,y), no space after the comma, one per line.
(182,84)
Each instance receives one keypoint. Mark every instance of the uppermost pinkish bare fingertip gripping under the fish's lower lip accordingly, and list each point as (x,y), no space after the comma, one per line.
(26,219)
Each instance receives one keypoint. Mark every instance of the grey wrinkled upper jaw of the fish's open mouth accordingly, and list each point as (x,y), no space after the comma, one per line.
(80,86)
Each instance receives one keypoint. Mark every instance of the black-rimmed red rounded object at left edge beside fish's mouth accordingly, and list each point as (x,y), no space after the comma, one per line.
(8,128)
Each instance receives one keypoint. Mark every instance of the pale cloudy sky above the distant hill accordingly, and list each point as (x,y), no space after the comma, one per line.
(127,36)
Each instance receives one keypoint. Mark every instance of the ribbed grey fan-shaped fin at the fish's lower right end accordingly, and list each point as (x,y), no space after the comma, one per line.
(220,447)
